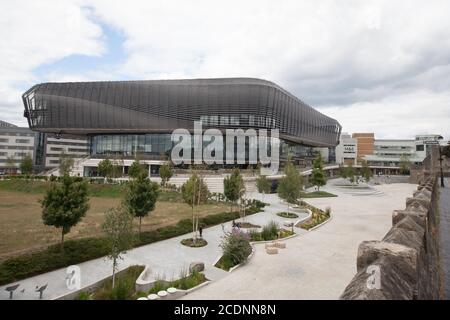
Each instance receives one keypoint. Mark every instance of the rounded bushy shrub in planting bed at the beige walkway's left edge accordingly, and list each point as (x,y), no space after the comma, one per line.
(235,247)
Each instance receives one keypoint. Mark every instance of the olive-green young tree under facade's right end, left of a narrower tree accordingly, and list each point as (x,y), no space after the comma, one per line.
(290,185)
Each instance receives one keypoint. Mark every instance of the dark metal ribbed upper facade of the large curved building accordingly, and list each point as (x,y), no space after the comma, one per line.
(91,108)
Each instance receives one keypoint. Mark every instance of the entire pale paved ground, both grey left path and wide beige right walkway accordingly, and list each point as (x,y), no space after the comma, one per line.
(316,264)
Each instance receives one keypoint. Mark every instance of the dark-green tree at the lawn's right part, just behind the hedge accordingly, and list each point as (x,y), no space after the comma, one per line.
(140,197)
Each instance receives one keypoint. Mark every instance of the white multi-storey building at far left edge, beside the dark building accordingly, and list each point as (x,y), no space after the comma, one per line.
(15,144)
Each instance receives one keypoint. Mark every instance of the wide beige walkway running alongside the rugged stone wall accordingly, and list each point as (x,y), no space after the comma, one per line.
(320,263)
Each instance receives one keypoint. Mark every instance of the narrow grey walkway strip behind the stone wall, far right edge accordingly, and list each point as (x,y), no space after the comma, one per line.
(444,237)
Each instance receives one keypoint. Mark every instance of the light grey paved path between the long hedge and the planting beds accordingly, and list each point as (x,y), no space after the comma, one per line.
(167,259)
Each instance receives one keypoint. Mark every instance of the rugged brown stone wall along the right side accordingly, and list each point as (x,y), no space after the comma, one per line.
(405,263)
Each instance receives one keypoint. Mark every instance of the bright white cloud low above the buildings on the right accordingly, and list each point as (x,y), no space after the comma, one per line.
(399,116)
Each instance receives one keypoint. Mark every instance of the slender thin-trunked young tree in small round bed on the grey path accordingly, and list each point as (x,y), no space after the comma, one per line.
(195,192)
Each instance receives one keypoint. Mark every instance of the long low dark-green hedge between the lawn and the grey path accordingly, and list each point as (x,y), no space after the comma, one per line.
(80,250)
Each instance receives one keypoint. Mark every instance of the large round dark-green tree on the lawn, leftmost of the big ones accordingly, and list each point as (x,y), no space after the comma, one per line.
(65,204)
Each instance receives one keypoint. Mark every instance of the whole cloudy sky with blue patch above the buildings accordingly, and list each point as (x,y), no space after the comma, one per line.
(375,66)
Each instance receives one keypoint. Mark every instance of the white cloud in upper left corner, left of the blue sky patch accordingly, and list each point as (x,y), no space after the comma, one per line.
(34,33)
